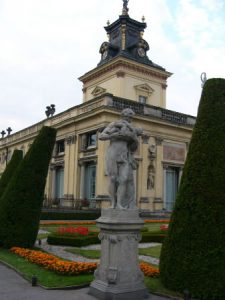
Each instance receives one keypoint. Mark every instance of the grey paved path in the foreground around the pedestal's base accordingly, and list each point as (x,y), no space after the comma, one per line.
(14,287)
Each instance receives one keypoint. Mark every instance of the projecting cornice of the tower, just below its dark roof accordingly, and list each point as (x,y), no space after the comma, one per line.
(121,62)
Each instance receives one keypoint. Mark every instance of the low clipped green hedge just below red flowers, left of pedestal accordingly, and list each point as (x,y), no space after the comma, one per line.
(79,241)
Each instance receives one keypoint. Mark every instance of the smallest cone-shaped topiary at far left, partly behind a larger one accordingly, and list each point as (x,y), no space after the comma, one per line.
(10,170)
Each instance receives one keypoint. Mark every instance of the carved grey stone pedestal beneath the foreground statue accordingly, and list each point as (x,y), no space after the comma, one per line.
(118,276)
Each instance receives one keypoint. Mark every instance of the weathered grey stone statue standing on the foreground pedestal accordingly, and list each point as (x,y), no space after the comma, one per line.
(120,161)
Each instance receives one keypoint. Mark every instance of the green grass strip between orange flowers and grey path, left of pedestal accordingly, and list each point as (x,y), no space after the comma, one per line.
(45,277)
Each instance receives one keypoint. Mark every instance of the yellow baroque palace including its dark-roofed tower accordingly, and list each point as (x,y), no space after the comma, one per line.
(125,77)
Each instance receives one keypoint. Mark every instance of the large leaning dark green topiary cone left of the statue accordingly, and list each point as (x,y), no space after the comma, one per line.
(23,197)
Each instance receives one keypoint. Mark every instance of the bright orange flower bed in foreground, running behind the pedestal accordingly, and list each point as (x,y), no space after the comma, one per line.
(53,263)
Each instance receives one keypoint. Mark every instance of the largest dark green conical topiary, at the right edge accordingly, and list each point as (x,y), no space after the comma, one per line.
(193,253)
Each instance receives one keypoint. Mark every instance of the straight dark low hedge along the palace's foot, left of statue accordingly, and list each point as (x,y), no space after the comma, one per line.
(70,215)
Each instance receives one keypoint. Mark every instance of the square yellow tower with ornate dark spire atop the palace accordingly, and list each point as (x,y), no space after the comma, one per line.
(125,69)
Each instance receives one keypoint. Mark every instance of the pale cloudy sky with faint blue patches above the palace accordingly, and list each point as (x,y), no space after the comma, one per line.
(45,45)
